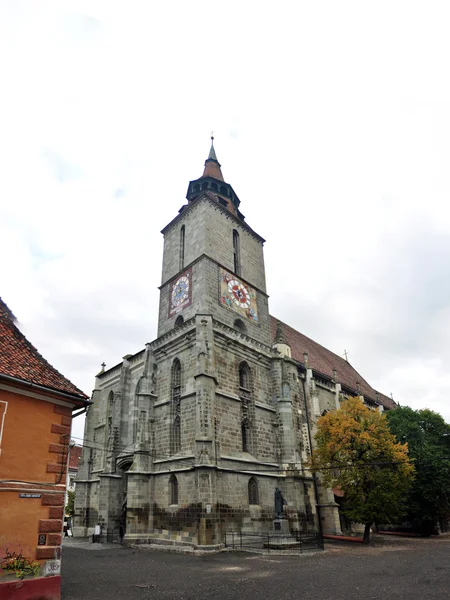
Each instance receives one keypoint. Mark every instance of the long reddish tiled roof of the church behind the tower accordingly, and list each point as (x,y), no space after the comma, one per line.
(323,361)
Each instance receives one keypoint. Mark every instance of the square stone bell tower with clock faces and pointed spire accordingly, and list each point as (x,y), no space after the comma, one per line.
(213,261)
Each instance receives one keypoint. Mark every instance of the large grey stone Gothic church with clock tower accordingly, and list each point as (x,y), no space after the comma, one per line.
(191,437)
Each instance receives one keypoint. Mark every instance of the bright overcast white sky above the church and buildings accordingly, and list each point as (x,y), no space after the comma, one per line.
(332,124)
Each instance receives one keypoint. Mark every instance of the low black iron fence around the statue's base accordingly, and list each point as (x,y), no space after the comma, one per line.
(295,543)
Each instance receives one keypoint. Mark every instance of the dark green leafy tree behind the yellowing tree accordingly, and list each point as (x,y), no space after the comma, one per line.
(428,438)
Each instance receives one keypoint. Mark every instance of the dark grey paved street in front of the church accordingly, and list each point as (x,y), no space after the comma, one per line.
(407,569)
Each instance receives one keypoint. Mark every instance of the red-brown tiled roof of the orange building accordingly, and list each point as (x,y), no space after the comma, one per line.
(20,359)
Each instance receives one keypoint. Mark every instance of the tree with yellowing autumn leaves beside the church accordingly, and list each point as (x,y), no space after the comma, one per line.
(357,453)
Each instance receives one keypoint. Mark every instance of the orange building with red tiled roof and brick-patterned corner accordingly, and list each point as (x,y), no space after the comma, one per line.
(36,408)
